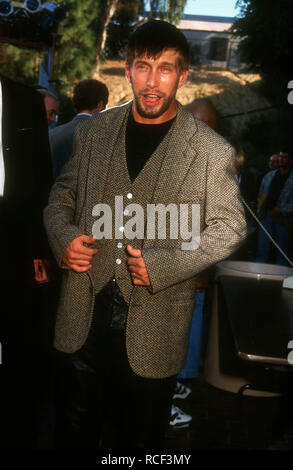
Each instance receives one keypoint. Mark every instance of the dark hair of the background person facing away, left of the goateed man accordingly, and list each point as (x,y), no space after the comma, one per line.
(88,93)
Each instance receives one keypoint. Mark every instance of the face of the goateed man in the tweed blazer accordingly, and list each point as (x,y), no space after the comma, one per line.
(154,83)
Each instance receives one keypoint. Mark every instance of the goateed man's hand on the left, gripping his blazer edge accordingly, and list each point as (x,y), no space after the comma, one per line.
(77,256)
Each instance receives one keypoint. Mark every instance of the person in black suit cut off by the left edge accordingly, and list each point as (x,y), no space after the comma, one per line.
(26,178)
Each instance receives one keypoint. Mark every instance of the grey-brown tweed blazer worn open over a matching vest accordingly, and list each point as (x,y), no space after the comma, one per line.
(198,168)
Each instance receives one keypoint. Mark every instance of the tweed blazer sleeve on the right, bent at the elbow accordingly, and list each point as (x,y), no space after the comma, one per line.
(224,229)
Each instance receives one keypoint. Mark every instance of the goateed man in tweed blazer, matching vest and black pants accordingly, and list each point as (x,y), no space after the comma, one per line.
(128,292)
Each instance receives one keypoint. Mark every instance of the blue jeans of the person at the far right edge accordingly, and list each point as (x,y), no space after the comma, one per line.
(279,233)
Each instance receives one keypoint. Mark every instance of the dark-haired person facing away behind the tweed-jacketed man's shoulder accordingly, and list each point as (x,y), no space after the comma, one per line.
(90,97)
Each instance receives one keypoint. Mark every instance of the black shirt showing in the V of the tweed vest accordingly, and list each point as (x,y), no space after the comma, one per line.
(141,141)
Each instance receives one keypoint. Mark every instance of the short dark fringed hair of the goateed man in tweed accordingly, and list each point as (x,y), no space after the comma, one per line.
(153,37)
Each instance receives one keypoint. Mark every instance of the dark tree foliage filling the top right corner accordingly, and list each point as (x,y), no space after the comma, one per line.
(266,29)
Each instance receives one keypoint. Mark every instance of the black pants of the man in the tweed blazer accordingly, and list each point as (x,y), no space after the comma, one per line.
(101,402)
